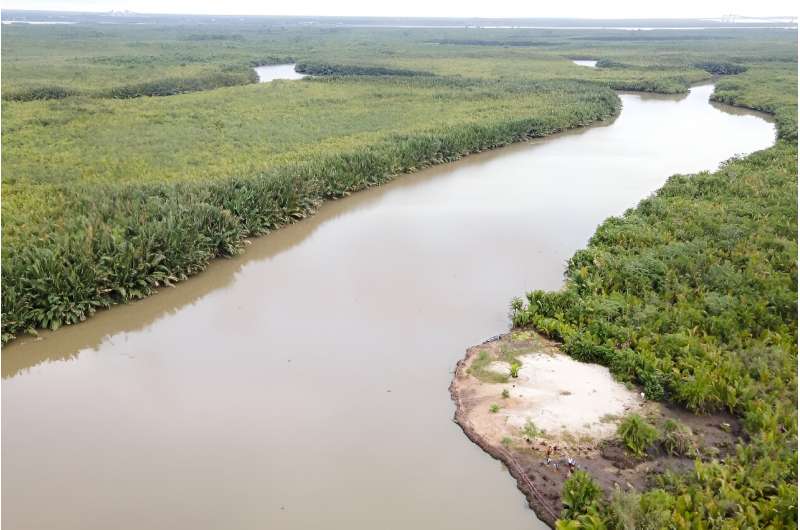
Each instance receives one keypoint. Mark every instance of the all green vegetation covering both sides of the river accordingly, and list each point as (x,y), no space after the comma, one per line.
(109,193)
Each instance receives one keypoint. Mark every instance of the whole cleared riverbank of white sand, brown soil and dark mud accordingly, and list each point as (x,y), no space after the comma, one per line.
(557,410)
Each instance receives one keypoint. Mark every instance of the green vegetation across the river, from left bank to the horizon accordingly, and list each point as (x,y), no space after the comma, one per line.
(108,195)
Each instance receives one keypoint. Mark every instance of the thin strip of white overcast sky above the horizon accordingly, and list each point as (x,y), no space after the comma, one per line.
(432,8)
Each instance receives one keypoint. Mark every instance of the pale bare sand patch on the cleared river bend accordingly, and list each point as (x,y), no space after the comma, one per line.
(568,400)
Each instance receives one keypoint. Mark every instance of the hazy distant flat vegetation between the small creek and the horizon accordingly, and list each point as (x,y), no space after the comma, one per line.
(96,59)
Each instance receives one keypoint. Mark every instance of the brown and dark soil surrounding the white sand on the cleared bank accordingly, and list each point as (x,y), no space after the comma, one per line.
(475,390)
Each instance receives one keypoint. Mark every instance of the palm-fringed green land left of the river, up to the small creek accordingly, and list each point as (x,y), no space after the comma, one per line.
(72,248)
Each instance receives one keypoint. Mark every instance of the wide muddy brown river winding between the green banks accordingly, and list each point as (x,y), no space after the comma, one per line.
(305,383)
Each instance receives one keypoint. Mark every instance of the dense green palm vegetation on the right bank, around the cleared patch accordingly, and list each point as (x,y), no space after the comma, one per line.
(693,295)
